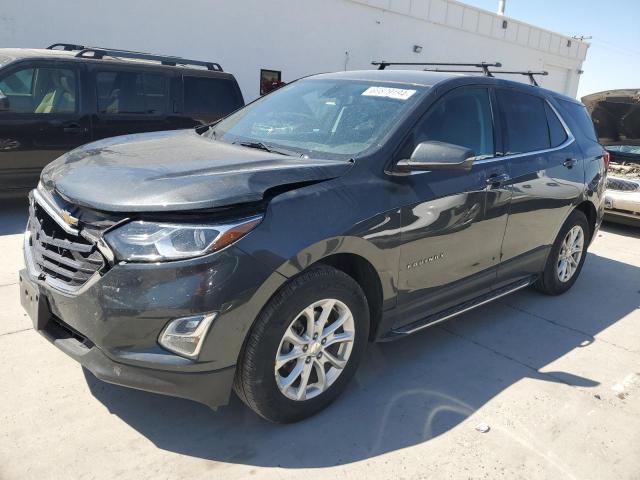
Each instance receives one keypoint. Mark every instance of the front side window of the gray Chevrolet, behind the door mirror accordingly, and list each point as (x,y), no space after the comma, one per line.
(462,117)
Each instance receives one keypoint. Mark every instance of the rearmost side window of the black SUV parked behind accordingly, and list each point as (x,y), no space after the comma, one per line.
(210,95)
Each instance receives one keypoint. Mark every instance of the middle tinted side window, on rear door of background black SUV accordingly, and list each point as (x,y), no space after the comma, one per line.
(130,92)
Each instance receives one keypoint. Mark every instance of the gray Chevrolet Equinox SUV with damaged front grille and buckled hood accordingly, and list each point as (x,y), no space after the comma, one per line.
(262,253)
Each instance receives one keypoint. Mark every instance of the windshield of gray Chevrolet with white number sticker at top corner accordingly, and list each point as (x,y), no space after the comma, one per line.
(321,118)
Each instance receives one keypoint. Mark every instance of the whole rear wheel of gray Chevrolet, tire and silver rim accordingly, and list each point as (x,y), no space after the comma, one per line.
(566,257)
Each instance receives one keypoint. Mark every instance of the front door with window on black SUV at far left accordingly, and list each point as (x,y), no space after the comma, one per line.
(44,119)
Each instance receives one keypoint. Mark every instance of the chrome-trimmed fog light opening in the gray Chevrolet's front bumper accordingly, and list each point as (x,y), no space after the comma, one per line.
(184,336)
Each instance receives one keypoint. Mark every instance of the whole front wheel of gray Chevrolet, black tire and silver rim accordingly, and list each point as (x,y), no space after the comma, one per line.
(304,347)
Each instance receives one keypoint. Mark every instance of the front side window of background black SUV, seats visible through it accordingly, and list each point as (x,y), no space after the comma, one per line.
(40,90)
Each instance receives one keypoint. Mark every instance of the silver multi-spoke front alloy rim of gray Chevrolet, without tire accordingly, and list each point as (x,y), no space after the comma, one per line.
(315,349)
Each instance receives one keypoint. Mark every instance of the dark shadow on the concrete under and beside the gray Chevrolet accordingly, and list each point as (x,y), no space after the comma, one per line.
(406,392)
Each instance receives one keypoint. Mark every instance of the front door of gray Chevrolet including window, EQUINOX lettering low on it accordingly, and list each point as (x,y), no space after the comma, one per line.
(452,232)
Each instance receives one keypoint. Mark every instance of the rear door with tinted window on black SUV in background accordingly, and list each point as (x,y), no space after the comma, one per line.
(131,100)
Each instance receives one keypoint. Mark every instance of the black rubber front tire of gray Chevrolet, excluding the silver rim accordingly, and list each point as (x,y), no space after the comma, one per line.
(255,380)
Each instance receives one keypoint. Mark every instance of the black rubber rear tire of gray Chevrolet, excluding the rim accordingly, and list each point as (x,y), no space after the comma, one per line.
(549,282)
